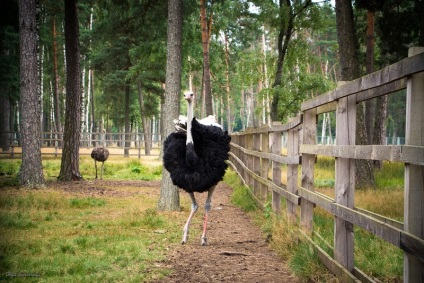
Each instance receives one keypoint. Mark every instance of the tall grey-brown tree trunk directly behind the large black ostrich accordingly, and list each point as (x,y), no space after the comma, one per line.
(169,195)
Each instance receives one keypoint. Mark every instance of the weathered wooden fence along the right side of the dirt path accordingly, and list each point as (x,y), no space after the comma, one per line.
(254,151)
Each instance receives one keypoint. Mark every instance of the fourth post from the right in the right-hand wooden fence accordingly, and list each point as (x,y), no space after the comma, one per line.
(292,175)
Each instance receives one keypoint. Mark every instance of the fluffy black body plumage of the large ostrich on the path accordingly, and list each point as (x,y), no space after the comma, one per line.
(198,166)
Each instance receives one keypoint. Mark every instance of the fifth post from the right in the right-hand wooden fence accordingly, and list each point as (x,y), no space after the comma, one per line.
(276,168)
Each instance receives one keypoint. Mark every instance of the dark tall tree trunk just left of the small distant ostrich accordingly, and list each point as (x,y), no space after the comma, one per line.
(69,169)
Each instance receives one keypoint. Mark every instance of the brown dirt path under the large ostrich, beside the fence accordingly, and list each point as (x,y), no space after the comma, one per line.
(236,251)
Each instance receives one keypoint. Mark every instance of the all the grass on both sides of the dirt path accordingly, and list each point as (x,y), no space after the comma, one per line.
(55,235)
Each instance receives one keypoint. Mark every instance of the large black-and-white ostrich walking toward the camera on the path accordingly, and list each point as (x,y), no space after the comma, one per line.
(195,157)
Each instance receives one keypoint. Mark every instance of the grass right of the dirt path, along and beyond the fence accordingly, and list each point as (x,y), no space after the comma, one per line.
(374,256)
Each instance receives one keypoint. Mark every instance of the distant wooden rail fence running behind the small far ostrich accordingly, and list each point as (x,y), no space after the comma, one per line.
(117,143)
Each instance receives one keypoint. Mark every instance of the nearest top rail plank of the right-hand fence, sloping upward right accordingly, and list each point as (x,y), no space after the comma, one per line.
(397,71)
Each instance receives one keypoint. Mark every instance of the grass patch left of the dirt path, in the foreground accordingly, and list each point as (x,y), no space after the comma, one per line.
(57,236)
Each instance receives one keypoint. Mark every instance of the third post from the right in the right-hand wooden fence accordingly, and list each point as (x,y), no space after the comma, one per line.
(308,162)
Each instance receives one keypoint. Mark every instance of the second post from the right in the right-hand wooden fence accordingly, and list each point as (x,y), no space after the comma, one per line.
(345,181)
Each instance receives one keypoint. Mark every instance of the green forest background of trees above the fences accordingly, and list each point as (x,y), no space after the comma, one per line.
(263,59)
